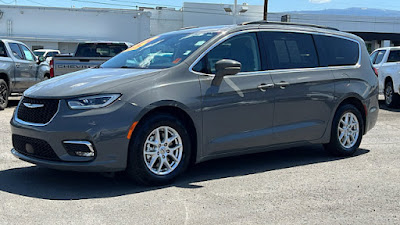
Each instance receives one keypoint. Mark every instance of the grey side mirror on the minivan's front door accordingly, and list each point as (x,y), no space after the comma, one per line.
(225,67)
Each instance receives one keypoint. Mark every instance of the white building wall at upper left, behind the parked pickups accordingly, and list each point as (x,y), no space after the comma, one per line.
(46,24)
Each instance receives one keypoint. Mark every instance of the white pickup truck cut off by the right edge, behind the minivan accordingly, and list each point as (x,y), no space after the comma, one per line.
(386,61)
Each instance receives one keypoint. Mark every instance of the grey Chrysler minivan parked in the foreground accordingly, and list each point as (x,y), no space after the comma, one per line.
(198,94)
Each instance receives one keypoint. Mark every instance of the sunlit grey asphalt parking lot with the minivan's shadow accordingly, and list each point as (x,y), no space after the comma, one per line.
(293,186)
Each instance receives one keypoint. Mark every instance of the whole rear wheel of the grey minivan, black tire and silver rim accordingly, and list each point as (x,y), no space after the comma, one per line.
(338,144)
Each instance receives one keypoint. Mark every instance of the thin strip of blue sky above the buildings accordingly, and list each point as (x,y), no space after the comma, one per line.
(274,5)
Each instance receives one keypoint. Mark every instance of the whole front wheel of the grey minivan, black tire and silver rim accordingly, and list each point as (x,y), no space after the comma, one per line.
(141,167)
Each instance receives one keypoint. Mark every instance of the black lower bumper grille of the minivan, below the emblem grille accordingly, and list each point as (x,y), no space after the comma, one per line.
(34,147)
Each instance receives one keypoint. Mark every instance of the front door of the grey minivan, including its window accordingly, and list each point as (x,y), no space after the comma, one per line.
(237,114)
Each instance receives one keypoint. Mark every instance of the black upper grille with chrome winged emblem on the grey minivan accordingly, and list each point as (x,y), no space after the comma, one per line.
(38,115)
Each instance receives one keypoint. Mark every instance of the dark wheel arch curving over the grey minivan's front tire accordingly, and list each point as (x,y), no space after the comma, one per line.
(177,110)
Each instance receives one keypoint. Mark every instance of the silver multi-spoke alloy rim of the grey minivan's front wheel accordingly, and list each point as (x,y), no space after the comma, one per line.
(163,150)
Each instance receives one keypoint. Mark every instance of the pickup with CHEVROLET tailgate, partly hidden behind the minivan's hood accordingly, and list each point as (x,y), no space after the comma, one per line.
(87,55)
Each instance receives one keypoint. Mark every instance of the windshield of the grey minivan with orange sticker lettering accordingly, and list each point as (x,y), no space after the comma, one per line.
(160,52)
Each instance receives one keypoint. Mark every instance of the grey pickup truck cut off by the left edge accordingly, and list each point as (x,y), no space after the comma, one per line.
(19,69)
